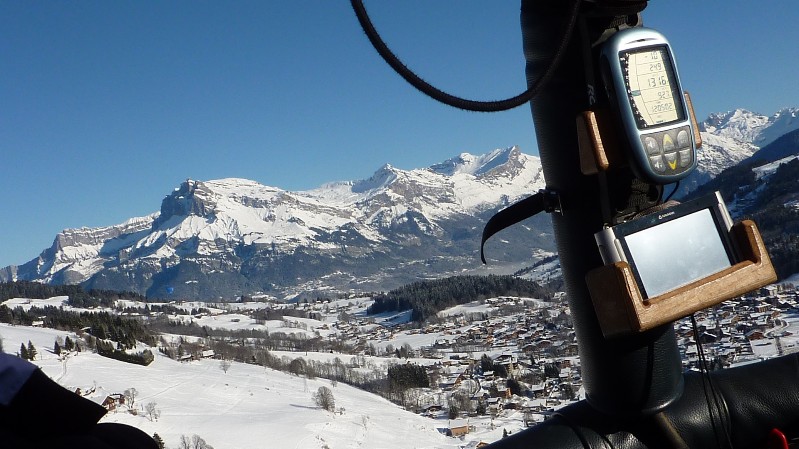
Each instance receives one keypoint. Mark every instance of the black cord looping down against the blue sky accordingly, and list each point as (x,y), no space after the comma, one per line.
(451,100)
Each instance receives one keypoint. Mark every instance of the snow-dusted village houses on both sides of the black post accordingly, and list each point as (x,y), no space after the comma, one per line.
(536,347)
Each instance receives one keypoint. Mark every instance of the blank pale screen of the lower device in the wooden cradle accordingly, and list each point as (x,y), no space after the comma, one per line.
(677,252)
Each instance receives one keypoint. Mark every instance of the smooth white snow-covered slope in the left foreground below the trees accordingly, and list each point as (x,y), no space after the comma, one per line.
(246,407)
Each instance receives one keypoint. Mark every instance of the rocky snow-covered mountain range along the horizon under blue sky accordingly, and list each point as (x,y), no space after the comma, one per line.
(231,237)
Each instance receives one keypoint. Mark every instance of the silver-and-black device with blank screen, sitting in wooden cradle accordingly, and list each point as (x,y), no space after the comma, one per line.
(672,247)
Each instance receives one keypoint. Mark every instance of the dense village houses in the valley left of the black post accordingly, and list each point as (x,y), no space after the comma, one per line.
(489,363)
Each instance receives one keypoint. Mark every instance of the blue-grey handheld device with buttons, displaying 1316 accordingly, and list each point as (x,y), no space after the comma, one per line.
(643,87)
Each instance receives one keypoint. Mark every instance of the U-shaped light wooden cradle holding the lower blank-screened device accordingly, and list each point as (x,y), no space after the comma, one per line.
(622,310)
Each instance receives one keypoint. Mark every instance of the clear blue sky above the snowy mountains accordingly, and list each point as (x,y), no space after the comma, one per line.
(106,106)
